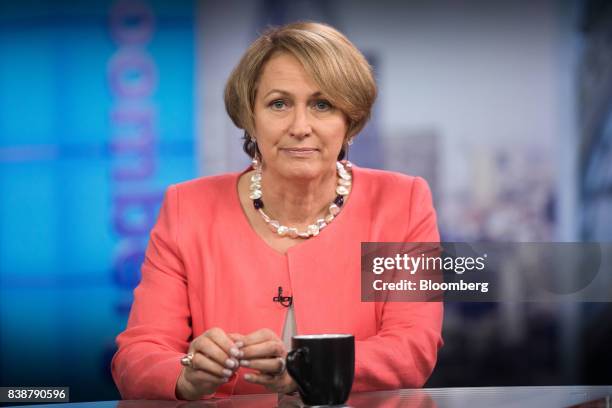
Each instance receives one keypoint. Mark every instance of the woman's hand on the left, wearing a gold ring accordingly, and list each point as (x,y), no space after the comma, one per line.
(214,362)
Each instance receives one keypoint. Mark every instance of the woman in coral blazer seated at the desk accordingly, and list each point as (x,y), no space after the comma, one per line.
(204,322)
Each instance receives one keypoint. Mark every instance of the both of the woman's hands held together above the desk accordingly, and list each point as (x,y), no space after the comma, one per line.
(217,356)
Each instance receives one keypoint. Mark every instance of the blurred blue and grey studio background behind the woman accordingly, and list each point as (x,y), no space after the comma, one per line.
(505,107)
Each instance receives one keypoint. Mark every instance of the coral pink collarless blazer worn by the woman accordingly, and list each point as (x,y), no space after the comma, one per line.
(206,267)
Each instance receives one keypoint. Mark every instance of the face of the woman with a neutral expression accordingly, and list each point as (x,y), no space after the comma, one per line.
(299,133)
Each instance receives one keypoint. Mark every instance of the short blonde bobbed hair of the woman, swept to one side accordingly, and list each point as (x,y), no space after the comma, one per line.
(335,64)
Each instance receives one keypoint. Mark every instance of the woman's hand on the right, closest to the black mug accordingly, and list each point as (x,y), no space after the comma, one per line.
(264,352)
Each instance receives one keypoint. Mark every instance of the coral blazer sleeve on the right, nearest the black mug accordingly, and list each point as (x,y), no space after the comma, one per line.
(403,353)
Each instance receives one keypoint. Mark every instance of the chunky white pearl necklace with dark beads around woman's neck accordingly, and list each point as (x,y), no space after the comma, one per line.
(343,189)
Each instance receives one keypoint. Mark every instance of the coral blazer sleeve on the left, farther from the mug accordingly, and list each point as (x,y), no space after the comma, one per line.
(147,362)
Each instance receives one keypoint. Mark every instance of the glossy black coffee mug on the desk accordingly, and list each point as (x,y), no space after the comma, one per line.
(323,367)
